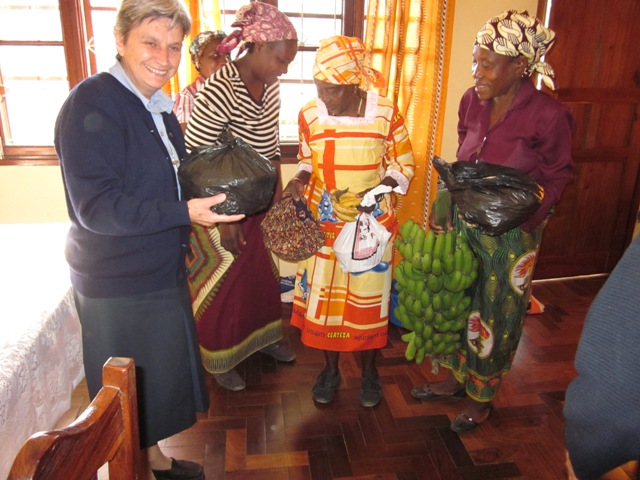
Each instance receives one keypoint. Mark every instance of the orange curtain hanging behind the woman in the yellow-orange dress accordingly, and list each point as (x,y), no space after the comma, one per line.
(408,41)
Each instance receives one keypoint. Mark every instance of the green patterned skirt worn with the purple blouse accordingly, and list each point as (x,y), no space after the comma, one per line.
(499,305)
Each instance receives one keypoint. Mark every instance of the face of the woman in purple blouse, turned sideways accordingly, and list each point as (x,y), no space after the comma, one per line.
(495,75)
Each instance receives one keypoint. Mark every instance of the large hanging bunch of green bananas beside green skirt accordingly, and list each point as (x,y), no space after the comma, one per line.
(432,280)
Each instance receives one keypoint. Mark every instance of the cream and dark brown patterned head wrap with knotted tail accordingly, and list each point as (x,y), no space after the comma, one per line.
(514,33)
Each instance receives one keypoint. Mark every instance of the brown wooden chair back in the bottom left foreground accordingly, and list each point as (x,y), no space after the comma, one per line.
(107,431)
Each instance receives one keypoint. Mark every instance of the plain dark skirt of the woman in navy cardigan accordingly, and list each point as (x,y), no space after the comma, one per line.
(157,330)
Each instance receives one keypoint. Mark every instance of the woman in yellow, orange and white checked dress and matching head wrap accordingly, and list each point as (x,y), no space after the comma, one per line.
(351,141)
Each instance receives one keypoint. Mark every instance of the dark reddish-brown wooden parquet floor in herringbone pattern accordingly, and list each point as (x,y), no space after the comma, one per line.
(274,431)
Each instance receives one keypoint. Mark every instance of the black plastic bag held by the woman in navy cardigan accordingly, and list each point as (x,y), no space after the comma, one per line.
(232,167)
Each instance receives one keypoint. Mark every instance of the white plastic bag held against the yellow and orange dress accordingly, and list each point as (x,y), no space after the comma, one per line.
(361,244)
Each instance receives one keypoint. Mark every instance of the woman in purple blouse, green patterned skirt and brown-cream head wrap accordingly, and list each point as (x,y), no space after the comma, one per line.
(504,120)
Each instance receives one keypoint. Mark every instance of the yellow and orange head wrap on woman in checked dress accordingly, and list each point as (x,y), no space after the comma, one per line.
(340,60)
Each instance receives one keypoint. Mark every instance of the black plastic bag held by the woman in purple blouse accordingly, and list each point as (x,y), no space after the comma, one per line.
(493,197)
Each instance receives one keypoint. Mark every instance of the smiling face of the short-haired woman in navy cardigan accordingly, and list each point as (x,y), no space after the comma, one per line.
(150,53)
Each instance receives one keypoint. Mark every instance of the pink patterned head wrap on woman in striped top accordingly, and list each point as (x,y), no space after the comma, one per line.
(258,22)
